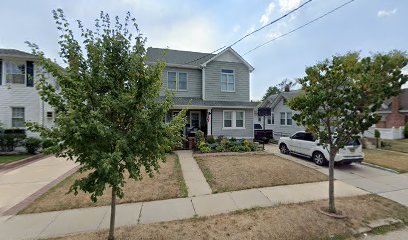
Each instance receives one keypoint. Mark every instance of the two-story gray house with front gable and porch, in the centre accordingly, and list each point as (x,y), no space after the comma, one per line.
(215,88)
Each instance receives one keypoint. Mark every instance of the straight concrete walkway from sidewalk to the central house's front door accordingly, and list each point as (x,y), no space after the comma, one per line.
(194,178)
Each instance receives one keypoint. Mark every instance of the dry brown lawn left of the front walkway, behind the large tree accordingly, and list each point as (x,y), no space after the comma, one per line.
(169,183)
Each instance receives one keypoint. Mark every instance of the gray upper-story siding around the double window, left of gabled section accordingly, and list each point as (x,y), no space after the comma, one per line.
(194,82)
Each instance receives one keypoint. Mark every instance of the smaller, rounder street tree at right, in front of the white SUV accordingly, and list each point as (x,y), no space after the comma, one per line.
(341,96)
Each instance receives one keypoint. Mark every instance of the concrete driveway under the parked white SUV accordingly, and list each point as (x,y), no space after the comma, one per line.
(384,183)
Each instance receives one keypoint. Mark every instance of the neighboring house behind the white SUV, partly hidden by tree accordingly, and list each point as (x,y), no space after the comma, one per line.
(280,120)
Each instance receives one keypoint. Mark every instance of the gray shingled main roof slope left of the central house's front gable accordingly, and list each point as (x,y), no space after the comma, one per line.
(177,57)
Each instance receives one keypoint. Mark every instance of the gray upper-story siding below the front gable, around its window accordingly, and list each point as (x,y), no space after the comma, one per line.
(213,82)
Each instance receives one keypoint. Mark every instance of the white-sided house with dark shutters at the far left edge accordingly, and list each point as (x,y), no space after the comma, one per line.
(19,99)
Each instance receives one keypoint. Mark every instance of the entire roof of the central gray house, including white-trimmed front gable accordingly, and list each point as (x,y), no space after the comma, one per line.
(178,58)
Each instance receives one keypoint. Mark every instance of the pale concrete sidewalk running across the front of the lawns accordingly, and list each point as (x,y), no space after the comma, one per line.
(60,223)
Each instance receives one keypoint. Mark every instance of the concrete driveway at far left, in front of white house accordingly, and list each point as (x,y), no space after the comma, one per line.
(18,184)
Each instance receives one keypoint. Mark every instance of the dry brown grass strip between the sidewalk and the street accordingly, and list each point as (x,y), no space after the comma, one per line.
(283,222)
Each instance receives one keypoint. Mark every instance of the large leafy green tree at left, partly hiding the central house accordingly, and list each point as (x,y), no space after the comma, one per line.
(108,118)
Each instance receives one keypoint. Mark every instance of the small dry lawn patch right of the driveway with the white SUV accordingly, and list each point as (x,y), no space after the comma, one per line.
(393,160)
